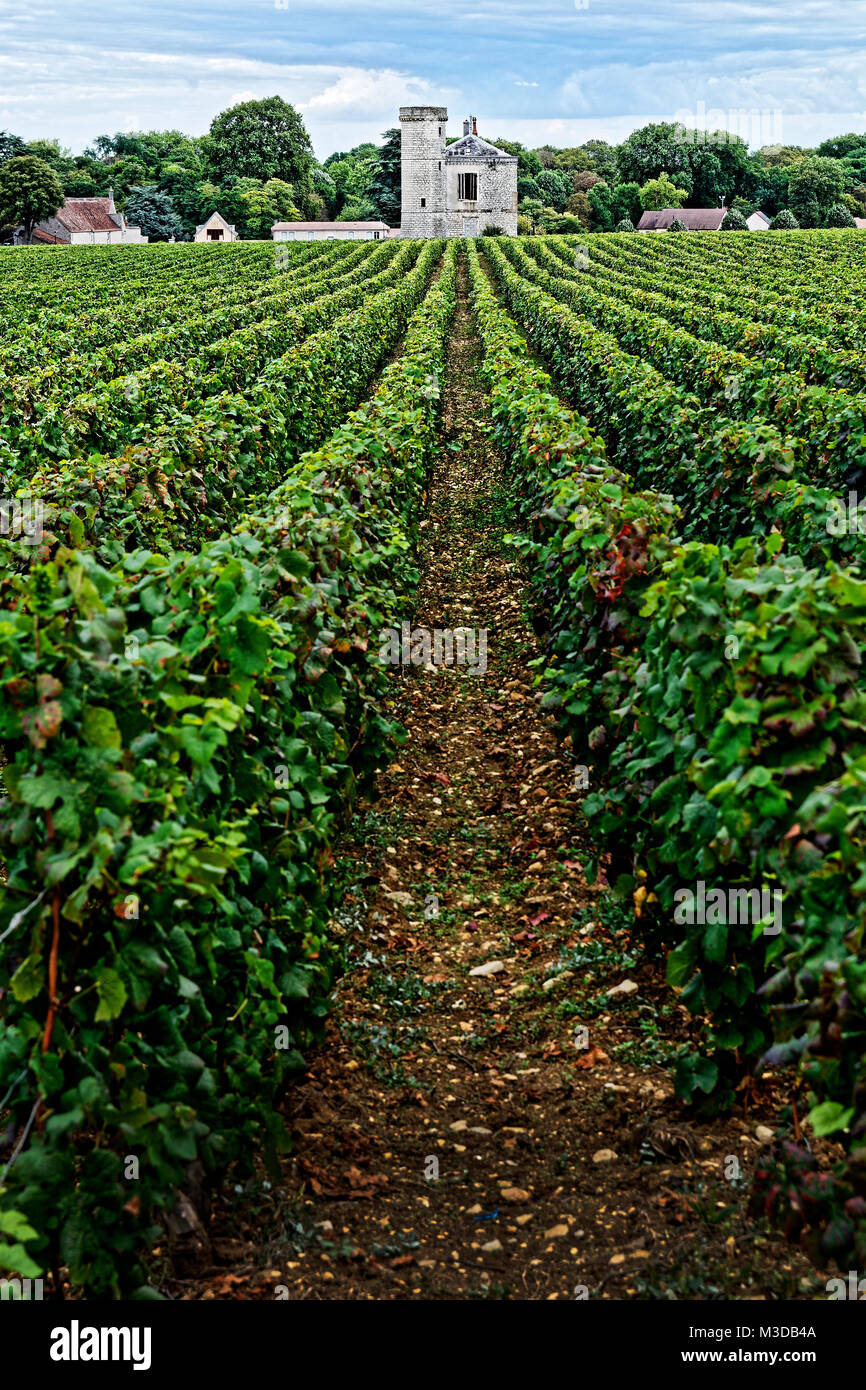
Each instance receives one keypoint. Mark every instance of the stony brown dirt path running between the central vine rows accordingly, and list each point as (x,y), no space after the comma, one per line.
(458,1136)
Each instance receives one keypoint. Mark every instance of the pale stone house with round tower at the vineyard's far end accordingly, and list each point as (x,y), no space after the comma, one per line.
(454,190)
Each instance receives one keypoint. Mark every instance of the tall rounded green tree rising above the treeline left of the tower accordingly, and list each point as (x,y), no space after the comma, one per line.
(262,140)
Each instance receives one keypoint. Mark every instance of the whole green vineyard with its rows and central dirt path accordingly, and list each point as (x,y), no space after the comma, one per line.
(251,867)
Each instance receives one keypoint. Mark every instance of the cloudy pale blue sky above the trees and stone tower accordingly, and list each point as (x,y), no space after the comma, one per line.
(539,70)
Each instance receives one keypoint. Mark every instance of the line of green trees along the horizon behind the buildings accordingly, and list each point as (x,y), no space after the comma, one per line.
(256,166)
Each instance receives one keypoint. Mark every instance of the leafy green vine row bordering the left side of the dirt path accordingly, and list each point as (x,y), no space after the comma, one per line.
(176,772)
